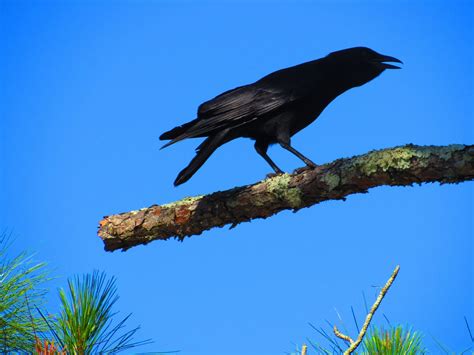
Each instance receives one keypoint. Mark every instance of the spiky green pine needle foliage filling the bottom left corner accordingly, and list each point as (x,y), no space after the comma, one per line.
(86,324)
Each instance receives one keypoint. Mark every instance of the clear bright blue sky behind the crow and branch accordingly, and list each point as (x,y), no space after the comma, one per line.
(88,86)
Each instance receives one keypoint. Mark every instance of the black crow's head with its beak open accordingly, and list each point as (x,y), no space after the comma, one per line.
(362,64)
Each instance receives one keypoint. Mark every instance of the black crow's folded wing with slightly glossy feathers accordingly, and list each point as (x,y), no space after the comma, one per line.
(232,109)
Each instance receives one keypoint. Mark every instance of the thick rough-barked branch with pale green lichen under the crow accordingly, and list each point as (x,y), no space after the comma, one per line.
(397,166)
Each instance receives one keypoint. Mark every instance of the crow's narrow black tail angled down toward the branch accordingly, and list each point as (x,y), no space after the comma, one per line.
(203,152)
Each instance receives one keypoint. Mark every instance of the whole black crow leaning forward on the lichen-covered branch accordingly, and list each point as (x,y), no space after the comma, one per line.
(274,108)
